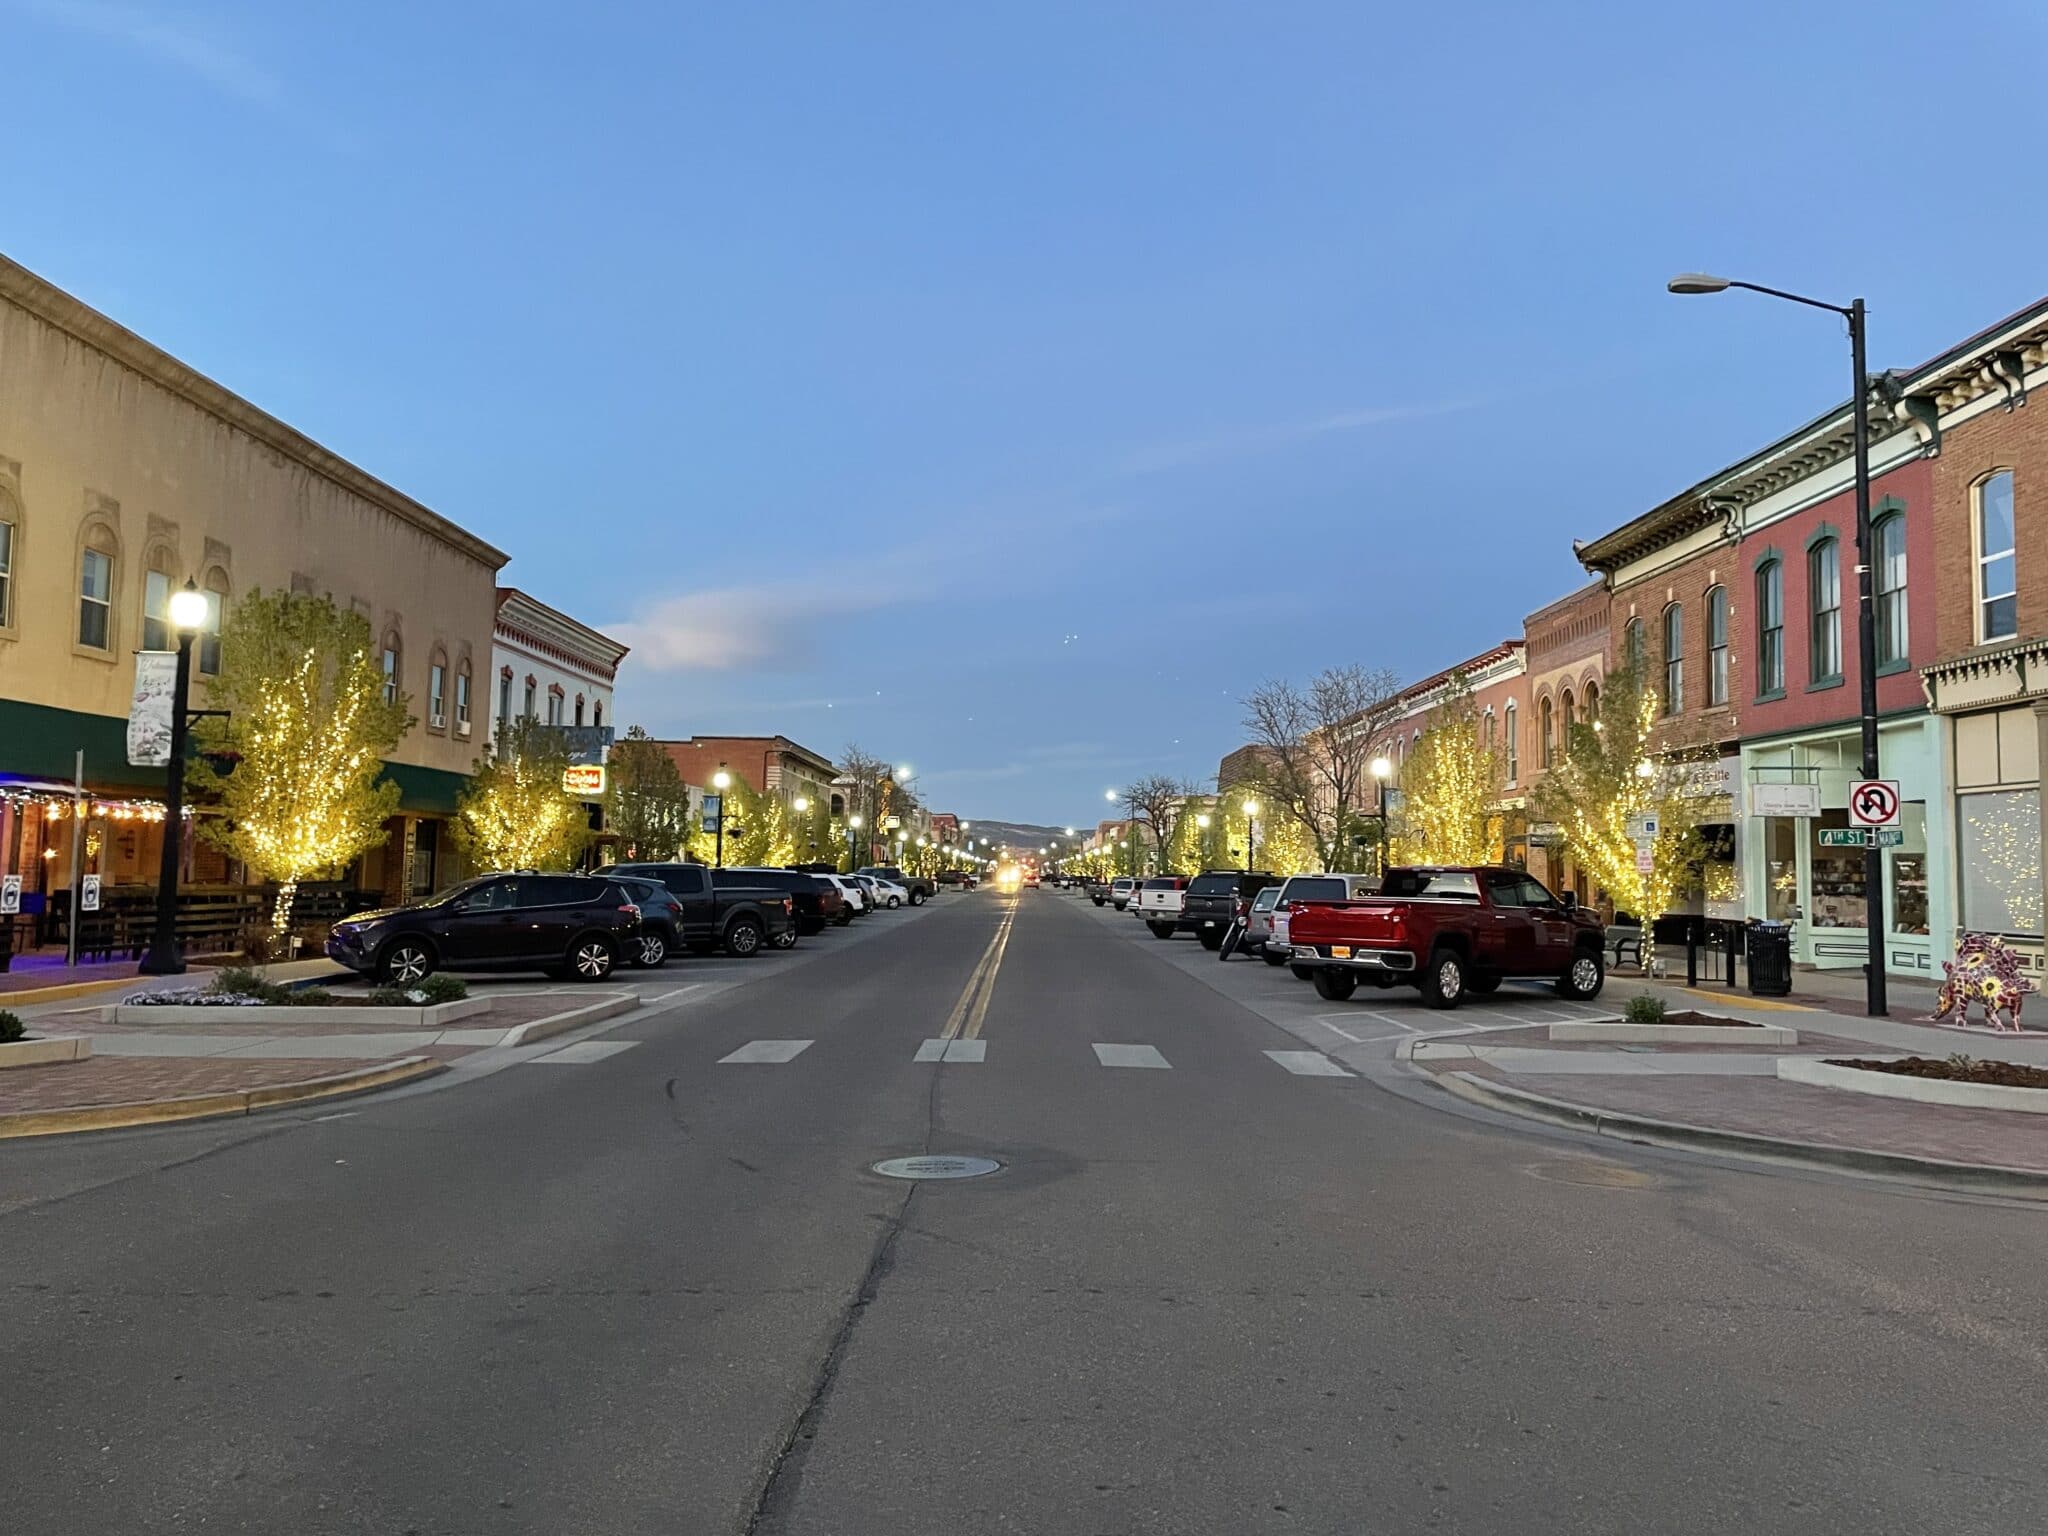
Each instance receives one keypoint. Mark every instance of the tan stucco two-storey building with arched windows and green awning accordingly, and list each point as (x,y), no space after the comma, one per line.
(124,474)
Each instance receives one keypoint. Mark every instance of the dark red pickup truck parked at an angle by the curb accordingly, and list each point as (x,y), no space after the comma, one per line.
(1449,931)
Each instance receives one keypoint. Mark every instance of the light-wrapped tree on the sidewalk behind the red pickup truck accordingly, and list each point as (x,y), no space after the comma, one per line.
(1617,769)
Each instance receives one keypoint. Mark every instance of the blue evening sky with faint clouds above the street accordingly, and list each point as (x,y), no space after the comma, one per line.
(1013,386)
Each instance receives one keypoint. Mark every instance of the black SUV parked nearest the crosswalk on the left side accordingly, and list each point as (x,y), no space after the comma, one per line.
(564,925)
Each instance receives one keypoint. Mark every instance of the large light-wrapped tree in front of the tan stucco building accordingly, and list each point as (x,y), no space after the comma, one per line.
(304,742)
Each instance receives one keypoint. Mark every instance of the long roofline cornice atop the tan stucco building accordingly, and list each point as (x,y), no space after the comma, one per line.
(155,366)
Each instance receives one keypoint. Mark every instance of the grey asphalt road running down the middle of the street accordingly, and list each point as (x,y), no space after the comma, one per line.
(654,1291)
